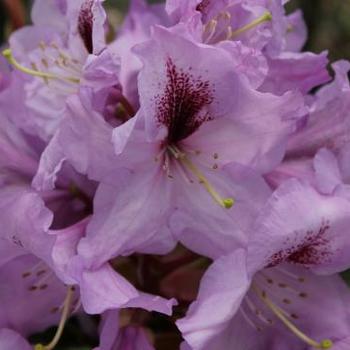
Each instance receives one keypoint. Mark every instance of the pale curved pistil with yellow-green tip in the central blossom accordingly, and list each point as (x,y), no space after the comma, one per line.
(226,203)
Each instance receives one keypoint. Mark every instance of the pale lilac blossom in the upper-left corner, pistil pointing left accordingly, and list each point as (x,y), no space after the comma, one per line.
(57,59)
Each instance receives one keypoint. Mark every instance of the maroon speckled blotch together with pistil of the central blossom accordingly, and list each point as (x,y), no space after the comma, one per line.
(182,109)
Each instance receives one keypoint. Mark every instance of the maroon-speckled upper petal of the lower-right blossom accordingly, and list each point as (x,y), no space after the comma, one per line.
(301,226)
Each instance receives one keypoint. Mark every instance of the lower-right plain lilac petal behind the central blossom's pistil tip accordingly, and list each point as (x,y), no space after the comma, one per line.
(216,231)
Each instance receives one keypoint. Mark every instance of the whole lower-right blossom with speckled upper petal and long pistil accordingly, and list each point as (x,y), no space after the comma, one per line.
(272,294)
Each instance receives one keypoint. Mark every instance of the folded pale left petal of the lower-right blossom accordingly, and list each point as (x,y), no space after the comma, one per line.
(220,295)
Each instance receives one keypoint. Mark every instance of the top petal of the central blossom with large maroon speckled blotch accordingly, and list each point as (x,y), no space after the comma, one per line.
(178,84)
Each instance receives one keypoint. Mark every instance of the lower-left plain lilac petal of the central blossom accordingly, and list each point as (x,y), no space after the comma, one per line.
(130,211)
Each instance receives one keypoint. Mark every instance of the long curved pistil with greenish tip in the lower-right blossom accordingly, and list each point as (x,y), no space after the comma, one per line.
(324,344)
